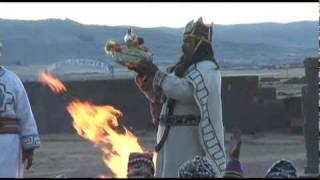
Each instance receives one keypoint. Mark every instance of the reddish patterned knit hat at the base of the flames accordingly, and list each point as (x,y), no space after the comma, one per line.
(140,165)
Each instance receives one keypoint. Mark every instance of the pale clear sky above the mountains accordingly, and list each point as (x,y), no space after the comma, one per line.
(162,14)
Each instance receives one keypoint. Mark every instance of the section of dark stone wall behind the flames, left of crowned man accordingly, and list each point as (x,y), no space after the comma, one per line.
(50,109)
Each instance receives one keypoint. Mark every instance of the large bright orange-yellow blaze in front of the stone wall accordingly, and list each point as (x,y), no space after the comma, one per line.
(100,125)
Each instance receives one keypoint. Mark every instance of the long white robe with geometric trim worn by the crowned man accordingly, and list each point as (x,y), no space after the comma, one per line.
(202,84)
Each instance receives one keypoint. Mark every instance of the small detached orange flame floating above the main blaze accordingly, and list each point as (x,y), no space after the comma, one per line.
(54,83)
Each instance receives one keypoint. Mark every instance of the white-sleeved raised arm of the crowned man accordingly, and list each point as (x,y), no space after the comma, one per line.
(174,87)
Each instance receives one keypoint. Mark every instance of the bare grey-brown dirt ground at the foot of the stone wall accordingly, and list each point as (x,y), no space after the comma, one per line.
(69,155)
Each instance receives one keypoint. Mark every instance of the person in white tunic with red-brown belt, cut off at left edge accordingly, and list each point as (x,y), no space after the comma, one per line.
(18,130)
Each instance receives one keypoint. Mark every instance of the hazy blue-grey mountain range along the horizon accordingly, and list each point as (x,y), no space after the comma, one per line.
(51,40)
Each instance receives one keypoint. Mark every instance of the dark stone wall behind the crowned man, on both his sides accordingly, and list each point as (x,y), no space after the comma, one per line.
(239,99)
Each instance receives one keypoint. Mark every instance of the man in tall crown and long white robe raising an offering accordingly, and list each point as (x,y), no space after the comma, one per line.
(186,104)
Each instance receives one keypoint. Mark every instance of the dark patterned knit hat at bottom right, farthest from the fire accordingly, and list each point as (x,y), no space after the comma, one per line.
(281,169)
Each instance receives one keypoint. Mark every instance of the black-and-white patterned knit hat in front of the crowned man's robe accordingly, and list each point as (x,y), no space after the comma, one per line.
(197,167)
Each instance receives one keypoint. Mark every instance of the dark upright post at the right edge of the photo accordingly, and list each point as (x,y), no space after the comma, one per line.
(310,107)
